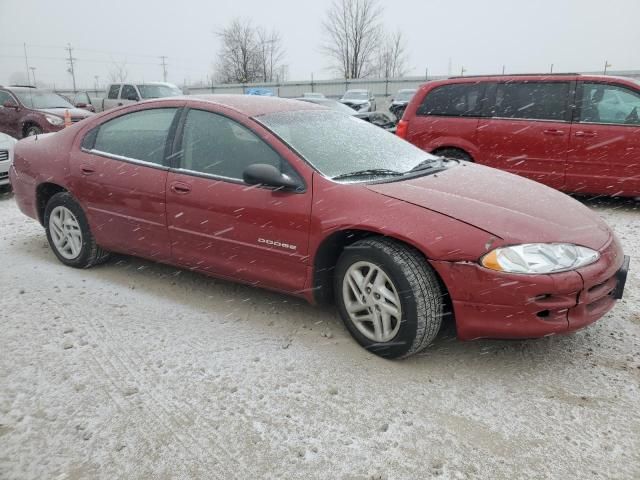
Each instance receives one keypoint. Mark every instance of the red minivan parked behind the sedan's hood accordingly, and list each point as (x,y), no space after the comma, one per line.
(576,133)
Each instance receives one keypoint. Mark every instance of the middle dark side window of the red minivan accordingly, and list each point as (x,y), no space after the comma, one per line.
(532,100)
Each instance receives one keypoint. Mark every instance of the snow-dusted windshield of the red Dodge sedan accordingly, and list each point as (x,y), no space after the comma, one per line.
(337,144)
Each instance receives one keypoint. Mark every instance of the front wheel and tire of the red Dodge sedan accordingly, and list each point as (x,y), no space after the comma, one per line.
(388,296)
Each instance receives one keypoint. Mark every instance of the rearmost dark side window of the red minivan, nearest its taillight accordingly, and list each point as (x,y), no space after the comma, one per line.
(455,100)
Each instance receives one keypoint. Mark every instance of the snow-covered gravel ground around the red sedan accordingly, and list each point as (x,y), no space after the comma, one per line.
(138,370)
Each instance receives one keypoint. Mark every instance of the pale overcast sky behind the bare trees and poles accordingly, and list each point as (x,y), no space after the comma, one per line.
(482,36)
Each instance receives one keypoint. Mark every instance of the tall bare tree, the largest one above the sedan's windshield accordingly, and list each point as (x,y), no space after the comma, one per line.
(353,32)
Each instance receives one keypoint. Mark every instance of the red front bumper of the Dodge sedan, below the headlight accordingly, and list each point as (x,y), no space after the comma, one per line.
(489,304)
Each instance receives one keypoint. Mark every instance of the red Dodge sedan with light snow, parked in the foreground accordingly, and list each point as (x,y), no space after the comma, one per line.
(300,199)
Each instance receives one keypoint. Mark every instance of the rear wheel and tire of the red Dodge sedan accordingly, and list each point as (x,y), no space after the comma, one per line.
(69,234)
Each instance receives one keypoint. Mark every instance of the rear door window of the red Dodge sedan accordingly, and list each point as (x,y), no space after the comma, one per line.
(136,136)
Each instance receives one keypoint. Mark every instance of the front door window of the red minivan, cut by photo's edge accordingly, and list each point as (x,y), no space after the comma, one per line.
(615,104)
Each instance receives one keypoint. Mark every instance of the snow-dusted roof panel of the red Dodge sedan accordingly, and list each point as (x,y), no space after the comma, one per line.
(254,105)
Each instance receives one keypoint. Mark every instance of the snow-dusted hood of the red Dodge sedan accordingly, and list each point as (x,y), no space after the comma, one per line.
(505,205)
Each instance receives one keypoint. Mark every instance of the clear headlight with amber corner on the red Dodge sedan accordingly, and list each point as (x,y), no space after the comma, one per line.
(536,258)
